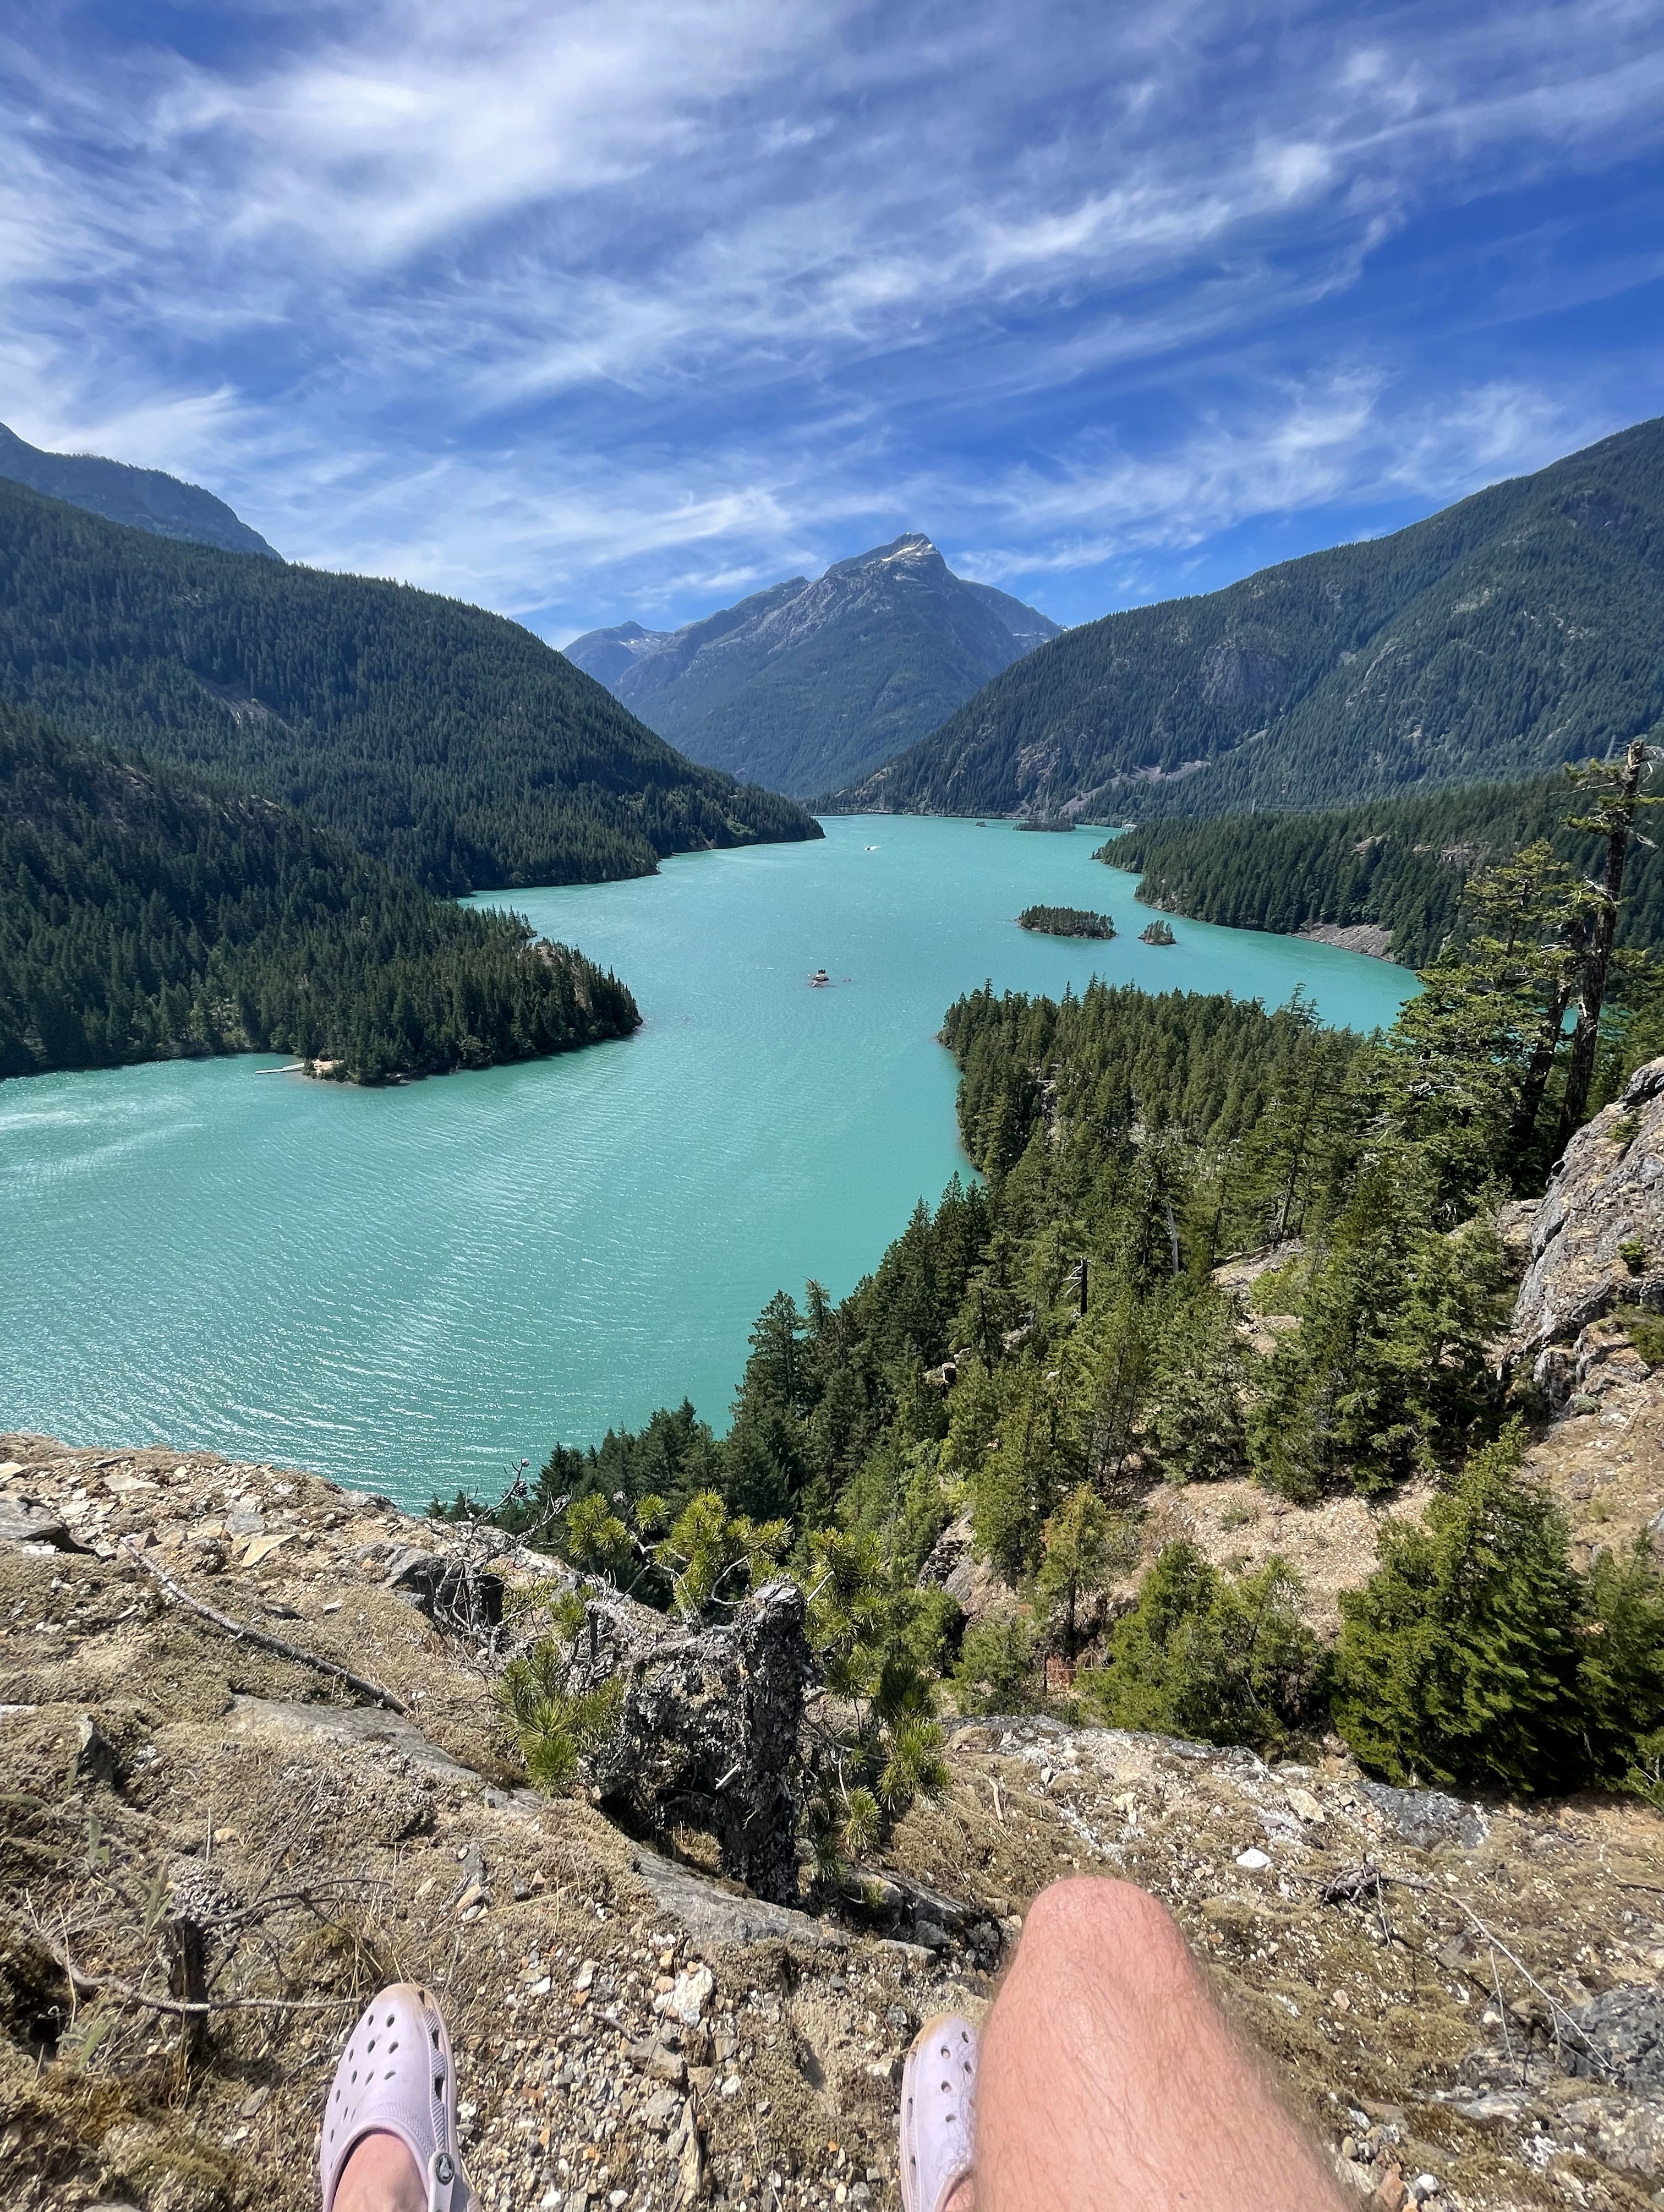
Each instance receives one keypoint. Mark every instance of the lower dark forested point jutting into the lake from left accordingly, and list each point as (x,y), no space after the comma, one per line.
(147,915)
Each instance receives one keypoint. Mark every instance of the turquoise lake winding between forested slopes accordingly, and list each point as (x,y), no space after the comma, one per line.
(415,1288)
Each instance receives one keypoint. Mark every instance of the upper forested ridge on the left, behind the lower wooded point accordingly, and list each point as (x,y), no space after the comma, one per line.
(439,738)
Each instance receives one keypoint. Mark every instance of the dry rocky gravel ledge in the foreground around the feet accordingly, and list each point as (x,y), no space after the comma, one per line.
(1462,2001)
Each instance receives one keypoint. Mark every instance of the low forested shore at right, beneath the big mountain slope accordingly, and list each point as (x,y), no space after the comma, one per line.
(1400,864)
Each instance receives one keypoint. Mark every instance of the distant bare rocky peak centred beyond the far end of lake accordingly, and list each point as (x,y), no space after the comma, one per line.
(809,687)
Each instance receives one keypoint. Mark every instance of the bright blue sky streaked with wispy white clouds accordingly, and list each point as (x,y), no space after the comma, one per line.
(627,309)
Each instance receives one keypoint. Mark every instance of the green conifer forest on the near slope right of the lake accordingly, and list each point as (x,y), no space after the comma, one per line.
(1050,1348)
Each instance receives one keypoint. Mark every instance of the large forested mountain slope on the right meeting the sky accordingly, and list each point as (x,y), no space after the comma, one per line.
(1495,640)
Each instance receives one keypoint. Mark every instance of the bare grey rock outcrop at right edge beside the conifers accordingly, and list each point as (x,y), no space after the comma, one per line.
(1599,1235)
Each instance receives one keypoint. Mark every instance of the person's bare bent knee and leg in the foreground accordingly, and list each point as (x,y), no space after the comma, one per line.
(1107,2078)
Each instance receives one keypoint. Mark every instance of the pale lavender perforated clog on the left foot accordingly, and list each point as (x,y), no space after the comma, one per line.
(397,2076)
